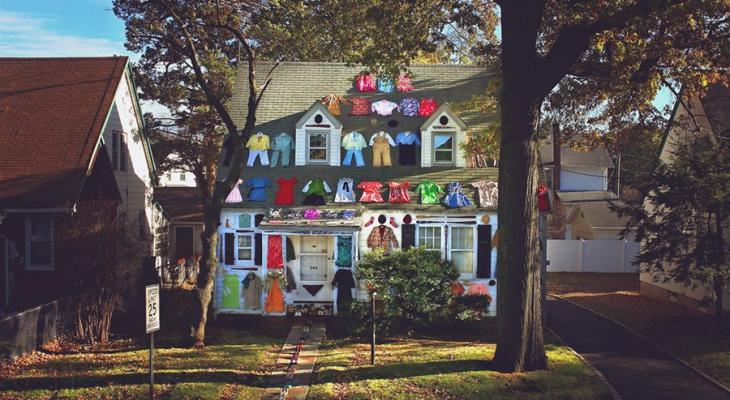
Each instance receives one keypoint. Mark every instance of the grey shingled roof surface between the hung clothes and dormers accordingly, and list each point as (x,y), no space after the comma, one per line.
(296,86)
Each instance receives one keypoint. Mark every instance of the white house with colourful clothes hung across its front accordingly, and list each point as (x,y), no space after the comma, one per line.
(314,242)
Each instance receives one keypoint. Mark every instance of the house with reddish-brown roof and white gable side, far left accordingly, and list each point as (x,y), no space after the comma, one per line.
(70,131)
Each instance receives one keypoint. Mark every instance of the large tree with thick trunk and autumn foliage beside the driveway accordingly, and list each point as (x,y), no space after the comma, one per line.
(614,53)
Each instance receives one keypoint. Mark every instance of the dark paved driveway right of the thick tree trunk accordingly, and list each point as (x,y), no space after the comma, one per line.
(634,368)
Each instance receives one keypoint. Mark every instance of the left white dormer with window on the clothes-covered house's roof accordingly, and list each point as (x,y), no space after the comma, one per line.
(318,137)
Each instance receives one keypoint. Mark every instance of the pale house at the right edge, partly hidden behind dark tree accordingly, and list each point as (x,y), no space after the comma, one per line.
(697,117)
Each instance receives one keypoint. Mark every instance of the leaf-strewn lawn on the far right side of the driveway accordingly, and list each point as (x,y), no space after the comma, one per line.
(701,340)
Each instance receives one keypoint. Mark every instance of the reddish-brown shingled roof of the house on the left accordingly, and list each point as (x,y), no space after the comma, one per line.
(52,114)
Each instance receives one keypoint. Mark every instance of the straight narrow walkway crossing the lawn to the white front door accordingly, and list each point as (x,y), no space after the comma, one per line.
(295,363)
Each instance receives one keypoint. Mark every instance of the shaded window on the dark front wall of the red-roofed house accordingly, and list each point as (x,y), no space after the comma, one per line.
(39,243)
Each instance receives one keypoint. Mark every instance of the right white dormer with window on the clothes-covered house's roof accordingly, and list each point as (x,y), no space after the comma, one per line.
(440,137)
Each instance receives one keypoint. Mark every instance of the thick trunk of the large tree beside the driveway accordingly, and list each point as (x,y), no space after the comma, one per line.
(520,346)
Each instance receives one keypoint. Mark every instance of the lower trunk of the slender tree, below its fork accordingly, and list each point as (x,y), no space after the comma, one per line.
(206,276)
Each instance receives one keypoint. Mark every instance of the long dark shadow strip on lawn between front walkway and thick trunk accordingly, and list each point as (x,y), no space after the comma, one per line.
(400,370)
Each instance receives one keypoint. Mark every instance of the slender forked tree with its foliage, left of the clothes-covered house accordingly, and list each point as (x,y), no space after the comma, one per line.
(189,54)
